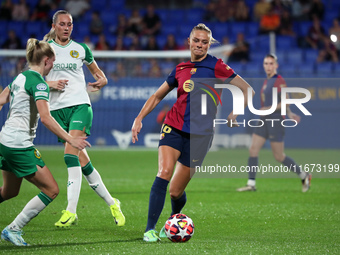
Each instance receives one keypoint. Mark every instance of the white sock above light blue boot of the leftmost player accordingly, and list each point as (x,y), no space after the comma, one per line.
(32,209)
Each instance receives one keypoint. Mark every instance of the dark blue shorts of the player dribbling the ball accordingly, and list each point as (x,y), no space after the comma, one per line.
(193,148)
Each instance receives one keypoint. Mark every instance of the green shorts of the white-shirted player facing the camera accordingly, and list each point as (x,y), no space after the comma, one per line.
(75,117)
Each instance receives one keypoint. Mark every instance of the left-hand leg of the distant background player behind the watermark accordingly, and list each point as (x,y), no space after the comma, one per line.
(257,143)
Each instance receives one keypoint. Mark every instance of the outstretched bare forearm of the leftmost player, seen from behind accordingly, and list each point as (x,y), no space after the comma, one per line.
(46,118)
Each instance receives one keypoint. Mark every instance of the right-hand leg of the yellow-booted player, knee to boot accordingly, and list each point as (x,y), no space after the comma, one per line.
(96,183)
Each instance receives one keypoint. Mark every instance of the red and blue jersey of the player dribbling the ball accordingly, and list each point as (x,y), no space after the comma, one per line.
(194,79)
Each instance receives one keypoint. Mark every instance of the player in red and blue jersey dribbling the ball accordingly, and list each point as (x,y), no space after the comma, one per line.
(187,134)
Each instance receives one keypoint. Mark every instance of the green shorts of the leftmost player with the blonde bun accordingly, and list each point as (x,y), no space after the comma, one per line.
(21,162)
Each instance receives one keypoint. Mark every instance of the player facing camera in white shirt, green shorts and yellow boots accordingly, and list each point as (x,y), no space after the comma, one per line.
(71,107)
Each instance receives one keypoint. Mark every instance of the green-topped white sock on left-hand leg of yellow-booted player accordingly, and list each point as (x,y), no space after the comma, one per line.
(74,181)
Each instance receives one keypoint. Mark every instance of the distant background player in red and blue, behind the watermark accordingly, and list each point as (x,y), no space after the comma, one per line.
(274,132)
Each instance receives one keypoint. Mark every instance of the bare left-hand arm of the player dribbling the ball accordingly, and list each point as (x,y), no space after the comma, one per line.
(149,105)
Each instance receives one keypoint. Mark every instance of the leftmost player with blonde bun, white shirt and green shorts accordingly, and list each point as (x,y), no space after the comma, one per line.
(19,159)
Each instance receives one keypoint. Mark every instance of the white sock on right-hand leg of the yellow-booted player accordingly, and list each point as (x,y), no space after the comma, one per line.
(96,183)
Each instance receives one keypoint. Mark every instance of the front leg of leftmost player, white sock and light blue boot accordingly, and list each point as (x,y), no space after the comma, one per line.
(44,181)
